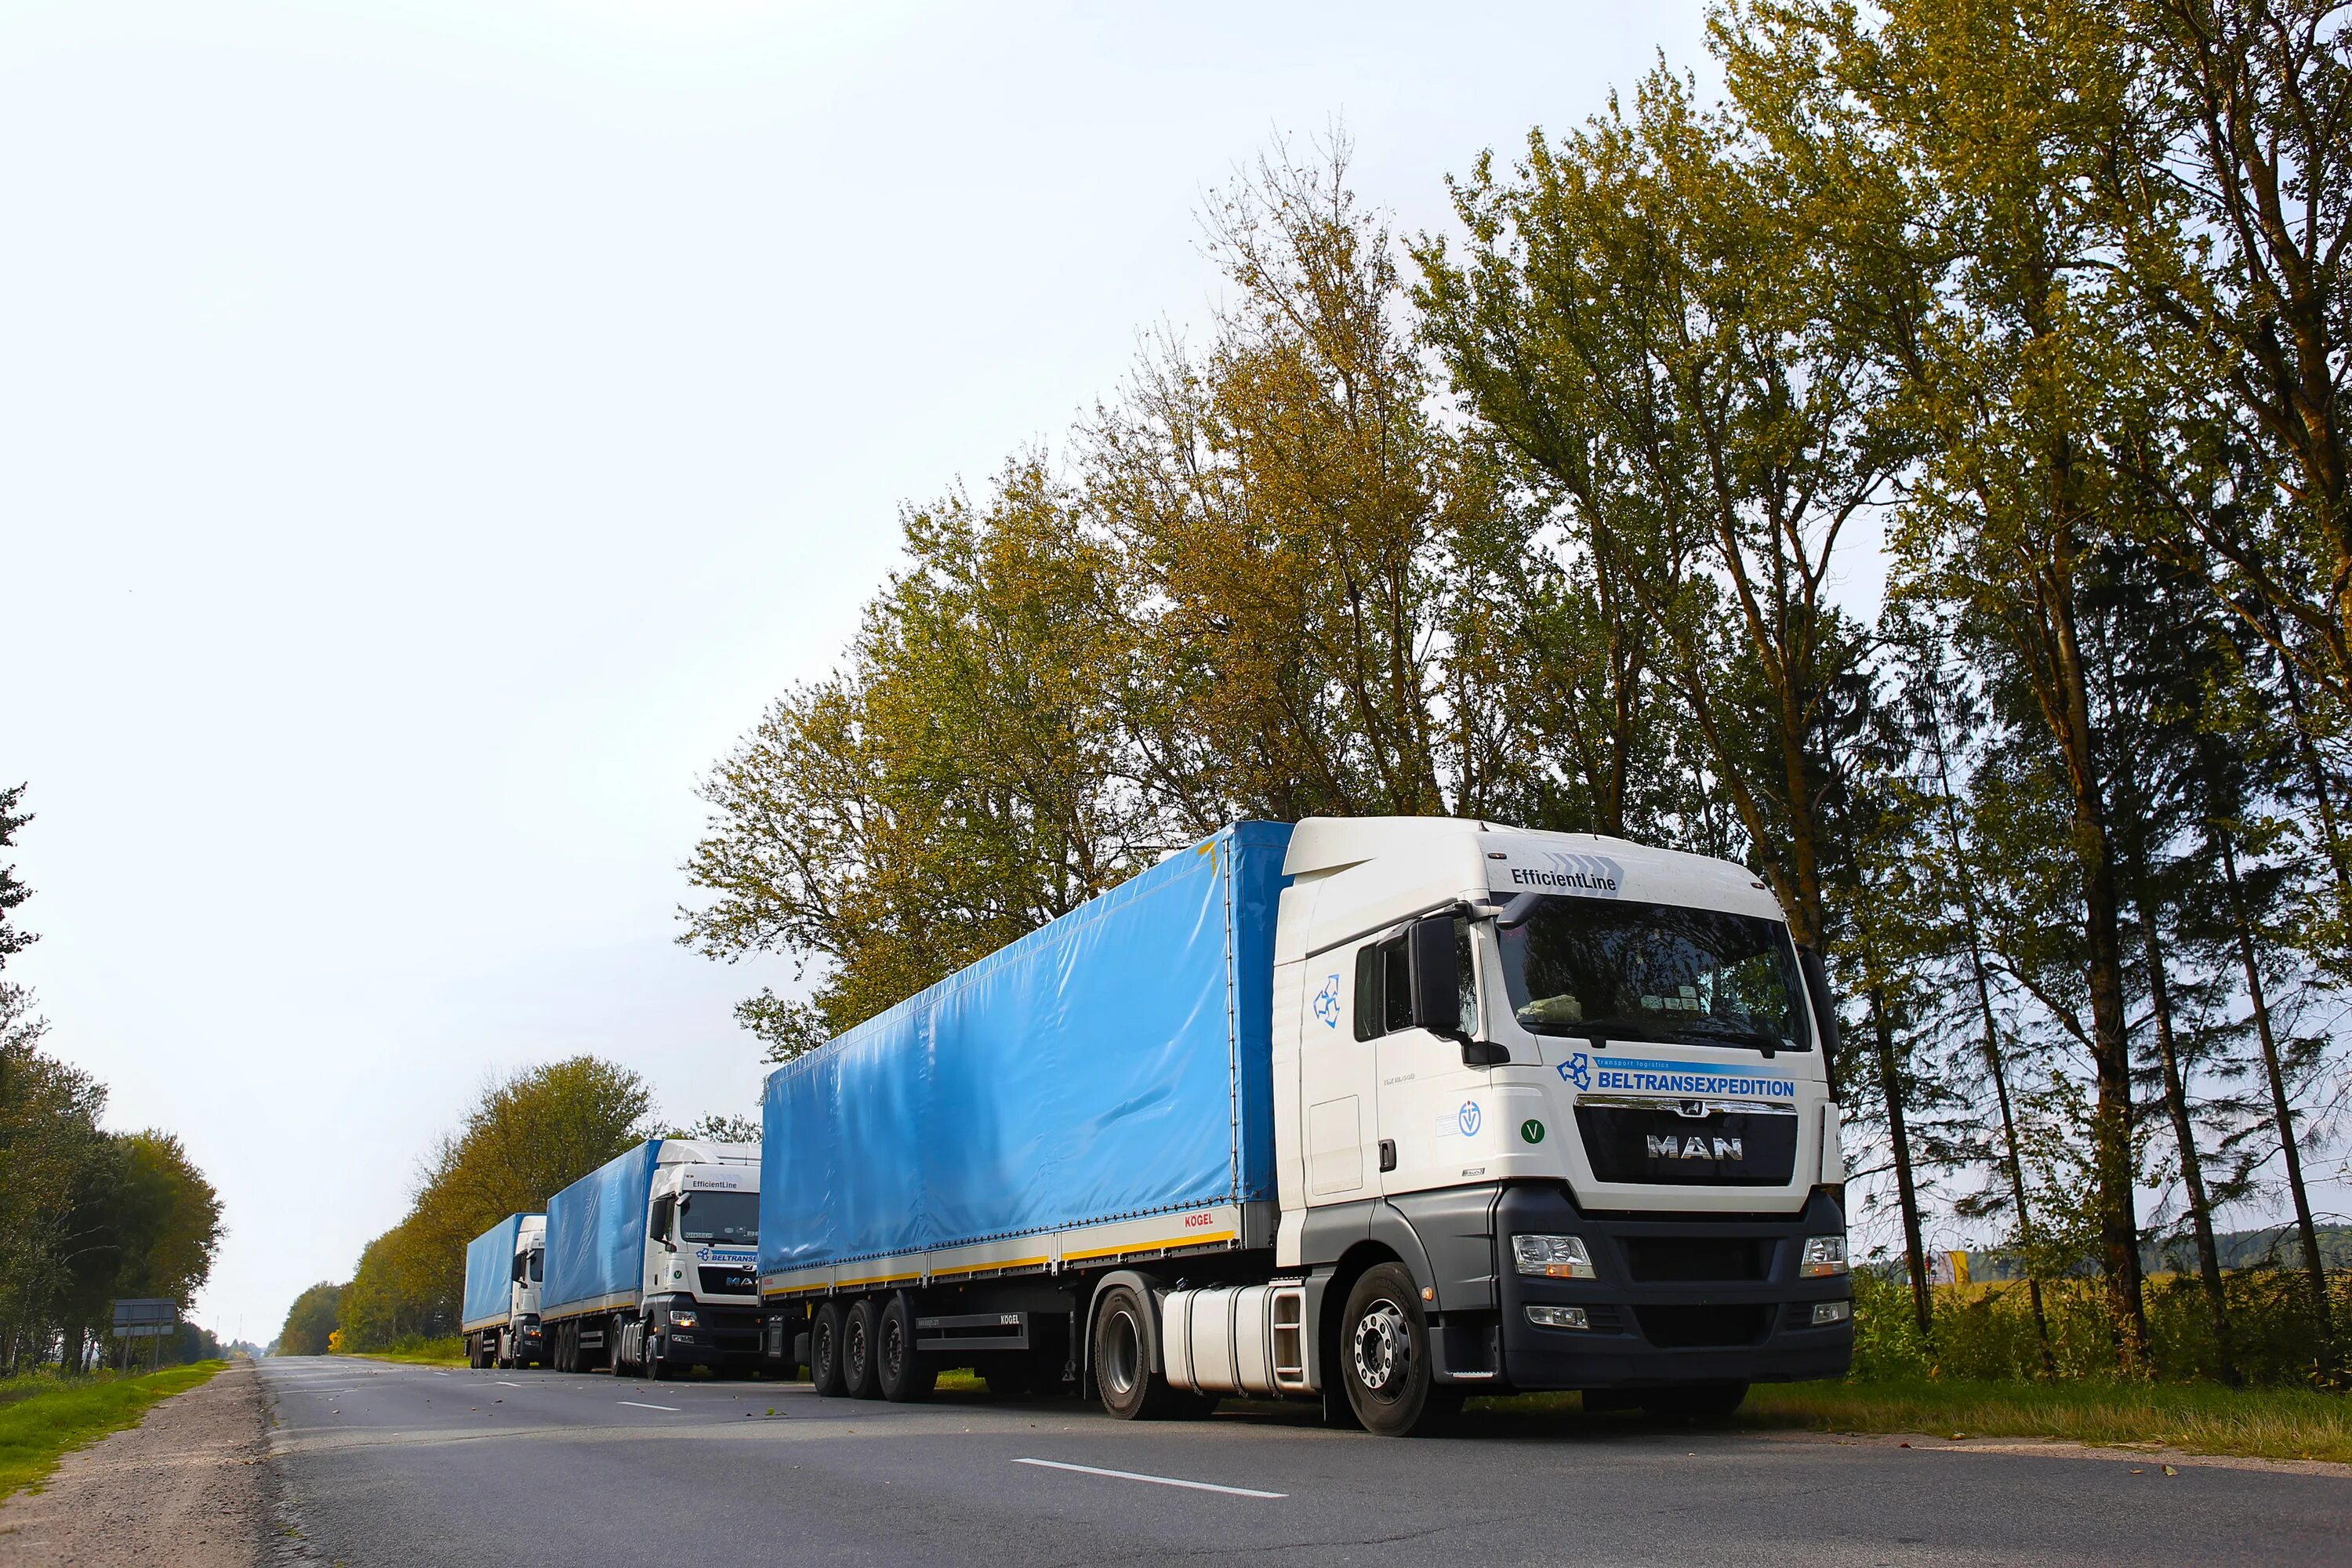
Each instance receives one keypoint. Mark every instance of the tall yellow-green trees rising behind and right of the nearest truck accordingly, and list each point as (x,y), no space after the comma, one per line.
(1561,521)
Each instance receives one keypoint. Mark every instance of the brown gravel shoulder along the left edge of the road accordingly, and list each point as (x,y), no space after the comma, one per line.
(185,1487)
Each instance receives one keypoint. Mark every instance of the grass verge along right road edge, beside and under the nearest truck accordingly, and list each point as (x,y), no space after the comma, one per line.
(2254,1423)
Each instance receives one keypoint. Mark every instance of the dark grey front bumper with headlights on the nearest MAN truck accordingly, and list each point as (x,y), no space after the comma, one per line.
(1655,1315)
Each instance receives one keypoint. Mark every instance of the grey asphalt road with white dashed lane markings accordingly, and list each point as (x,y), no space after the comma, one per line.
(519,1470)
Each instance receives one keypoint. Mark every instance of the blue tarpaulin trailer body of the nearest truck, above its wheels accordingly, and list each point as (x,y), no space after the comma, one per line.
(1097,1087)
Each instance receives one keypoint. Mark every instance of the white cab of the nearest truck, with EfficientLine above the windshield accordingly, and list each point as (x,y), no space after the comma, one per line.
(1577,1090)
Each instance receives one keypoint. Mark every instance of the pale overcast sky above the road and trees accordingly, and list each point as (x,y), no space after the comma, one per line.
(429,434)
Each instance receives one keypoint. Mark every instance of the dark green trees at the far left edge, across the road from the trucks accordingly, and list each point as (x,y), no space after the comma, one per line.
(86,1214)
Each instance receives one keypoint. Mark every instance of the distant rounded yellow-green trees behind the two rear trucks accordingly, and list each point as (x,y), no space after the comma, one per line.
(526,1139)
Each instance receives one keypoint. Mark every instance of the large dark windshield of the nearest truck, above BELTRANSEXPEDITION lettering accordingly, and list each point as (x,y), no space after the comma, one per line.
(1655,972)
